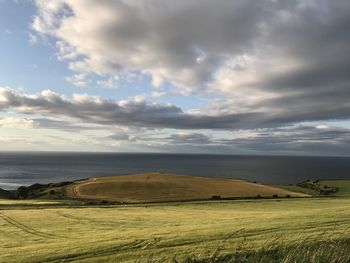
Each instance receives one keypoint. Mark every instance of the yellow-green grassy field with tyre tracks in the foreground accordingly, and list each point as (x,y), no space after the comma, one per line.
(175,231)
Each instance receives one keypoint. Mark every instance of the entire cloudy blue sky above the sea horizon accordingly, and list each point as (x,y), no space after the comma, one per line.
(186,76)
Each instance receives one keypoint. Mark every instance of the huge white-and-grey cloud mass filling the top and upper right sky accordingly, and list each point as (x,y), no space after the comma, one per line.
(249,51)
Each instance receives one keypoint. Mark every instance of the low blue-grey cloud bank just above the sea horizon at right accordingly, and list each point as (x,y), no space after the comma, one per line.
(296,140)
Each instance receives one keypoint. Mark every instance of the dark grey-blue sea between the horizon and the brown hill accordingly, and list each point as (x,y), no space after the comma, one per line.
(18,169)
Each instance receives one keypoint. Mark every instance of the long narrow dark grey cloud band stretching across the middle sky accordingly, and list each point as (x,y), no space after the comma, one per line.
(95,110)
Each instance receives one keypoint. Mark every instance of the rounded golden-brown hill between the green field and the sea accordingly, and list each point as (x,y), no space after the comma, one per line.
(160,187)
